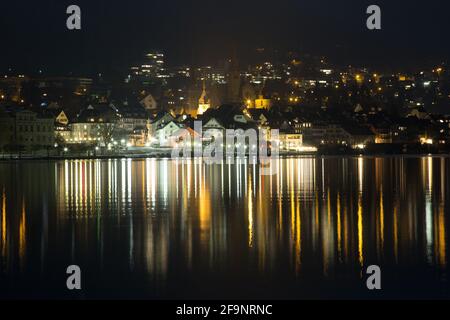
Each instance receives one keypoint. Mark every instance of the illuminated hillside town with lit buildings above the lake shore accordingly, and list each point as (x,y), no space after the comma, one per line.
(316,106)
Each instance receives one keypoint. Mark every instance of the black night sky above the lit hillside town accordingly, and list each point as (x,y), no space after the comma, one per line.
(116,33)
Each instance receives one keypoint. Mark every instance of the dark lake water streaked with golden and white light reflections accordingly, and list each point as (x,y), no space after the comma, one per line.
(157,228)
